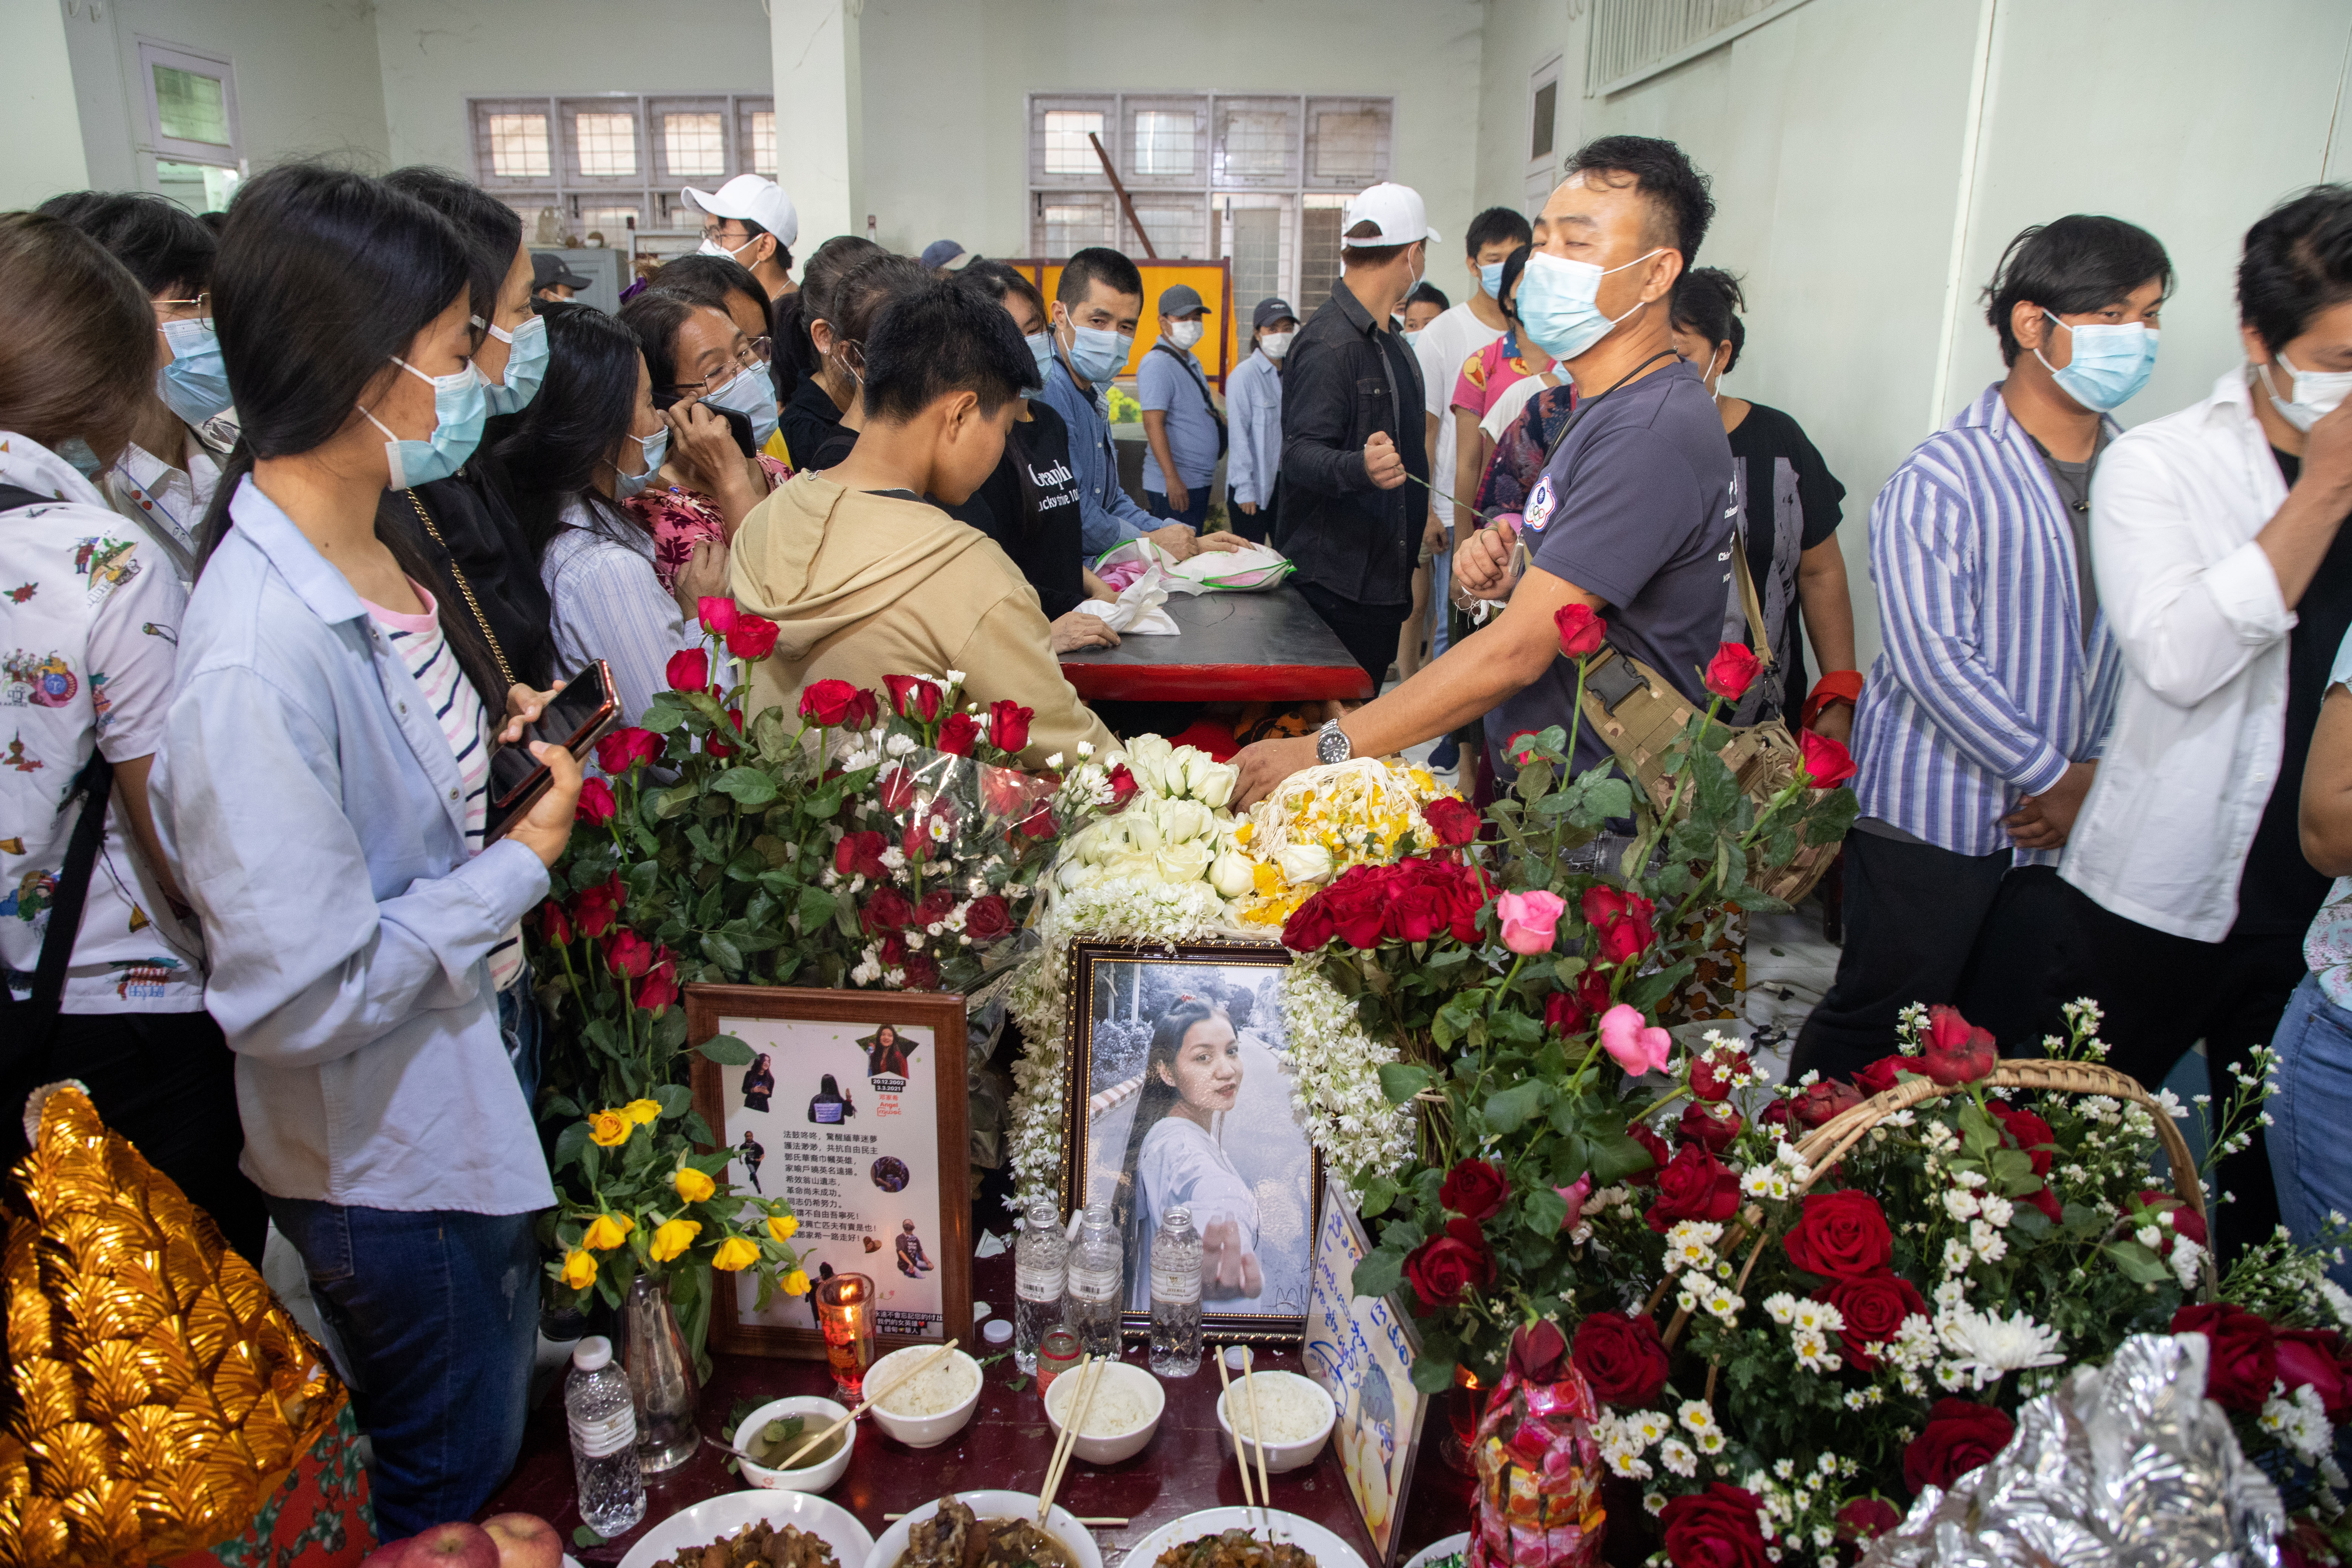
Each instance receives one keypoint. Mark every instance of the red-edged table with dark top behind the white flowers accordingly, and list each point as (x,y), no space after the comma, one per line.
(1236,648)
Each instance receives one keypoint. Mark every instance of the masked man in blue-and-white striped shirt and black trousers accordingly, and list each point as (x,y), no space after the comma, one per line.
(1982,721)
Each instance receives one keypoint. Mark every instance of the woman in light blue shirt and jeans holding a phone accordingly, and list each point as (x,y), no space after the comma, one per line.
(321,800)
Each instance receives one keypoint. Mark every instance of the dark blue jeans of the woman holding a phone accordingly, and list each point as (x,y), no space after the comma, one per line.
(439,1318)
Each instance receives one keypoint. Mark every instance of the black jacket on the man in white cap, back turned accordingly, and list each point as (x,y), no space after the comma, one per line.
(1342,382)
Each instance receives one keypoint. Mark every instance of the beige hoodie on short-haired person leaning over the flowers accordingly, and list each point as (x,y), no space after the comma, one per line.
(869,587)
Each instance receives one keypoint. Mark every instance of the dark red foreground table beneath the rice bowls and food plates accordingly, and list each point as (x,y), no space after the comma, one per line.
(1187,1466)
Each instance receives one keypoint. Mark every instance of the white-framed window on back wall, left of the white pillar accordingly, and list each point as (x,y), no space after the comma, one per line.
(615,161)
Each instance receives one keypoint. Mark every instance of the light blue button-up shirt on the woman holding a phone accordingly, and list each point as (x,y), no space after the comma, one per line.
(312,810)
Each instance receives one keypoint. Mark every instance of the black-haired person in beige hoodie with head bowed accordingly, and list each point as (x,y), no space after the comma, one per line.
(869,577)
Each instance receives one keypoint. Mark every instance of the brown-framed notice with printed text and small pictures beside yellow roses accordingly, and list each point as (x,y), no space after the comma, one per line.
(853,1108)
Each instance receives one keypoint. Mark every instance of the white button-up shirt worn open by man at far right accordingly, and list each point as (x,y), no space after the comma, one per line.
(2198,612)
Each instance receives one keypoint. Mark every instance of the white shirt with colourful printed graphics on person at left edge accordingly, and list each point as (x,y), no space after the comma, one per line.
(88,636)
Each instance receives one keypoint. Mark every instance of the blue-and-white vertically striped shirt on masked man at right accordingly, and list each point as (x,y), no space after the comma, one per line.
(1984,692)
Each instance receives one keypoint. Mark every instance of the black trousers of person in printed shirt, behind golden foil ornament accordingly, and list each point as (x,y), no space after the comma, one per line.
(168,1085)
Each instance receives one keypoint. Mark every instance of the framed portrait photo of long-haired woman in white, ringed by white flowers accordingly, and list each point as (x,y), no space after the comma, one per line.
(1180,1094)
